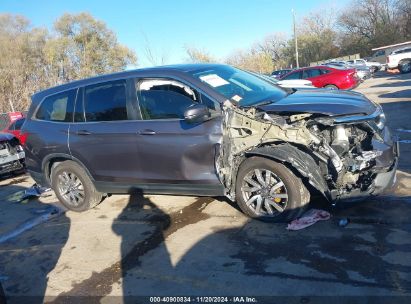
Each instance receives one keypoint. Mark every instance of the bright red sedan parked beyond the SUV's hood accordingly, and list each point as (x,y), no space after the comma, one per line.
(326,77)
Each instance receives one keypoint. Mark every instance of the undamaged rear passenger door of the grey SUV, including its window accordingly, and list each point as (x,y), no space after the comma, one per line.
(103,137)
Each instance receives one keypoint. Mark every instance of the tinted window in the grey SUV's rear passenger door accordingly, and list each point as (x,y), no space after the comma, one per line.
(106,101)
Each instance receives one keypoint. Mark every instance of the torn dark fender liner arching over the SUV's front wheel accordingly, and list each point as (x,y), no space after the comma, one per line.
(297,159)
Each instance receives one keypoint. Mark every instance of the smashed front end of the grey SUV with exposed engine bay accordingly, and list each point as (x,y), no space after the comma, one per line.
(339,156)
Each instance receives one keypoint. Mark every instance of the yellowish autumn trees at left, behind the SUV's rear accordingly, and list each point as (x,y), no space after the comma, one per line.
(34,58)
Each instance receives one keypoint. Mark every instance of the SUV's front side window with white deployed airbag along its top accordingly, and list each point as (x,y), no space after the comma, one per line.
(164,98)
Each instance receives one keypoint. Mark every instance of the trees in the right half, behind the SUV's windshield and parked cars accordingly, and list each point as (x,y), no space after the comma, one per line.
(325,34)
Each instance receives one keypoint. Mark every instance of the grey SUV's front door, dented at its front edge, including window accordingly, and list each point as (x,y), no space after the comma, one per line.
(171,150)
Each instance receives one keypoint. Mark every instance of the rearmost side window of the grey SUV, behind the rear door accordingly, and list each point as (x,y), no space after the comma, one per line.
(57,107)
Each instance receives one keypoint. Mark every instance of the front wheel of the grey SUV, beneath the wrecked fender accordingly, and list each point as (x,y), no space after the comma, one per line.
(287,195)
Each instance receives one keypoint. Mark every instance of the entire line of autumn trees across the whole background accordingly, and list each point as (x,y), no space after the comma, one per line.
(79,46)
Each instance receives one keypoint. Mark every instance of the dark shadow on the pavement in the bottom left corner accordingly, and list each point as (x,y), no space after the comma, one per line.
(27,259)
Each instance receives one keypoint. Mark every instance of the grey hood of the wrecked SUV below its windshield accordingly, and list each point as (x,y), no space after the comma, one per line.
(322,101)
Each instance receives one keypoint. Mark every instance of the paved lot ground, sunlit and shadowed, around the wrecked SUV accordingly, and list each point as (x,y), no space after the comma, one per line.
(188,246)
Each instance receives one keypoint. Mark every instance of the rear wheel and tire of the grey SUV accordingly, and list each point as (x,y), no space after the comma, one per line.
(73,187)
